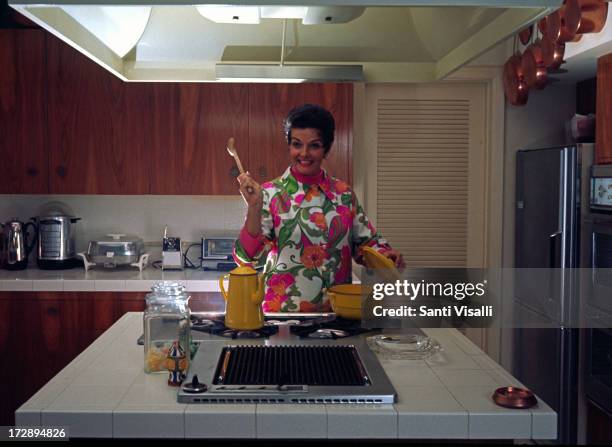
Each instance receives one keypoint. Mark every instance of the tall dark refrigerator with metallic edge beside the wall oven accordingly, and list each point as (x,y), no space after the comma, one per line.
(551,201)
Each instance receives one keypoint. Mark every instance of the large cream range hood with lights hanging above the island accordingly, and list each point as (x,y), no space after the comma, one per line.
(386,41)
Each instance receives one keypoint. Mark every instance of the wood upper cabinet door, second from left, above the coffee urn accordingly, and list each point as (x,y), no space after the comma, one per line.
(98,127)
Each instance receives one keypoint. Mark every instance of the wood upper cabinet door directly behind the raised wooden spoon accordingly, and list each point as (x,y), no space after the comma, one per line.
(190,126)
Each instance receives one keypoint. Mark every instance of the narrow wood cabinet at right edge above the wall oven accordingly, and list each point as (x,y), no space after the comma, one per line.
(603,120)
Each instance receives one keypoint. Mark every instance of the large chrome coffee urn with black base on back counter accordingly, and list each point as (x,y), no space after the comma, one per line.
(56,237)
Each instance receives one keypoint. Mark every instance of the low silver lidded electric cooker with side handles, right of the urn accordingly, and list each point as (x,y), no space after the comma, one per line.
(116,250)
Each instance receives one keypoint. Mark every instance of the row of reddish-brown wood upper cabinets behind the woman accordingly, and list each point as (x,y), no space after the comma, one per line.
(68,126)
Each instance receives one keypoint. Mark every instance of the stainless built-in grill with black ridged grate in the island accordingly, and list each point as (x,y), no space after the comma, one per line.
(287,368)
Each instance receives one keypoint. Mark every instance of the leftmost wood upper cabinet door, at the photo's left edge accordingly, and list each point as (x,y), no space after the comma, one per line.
(23,155)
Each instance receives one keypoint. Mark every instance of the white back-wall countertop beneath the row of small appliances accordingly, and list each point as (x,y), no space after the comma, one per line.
(120,280)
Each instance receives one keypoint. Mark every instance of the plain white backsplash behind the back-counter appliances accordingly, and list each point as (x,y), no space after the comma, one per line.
(187,217)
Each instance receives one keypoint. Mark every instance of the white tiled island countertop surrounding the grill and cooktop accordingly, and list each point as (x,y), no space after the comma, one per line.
(105,393)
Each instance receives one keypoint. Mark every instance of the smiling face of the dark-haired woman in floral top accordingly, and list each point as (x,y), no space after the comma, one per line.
(306,151)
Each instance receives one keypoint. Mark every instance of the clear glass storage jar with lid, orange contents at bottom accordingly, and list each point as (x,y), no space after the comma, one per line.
(166,320)
